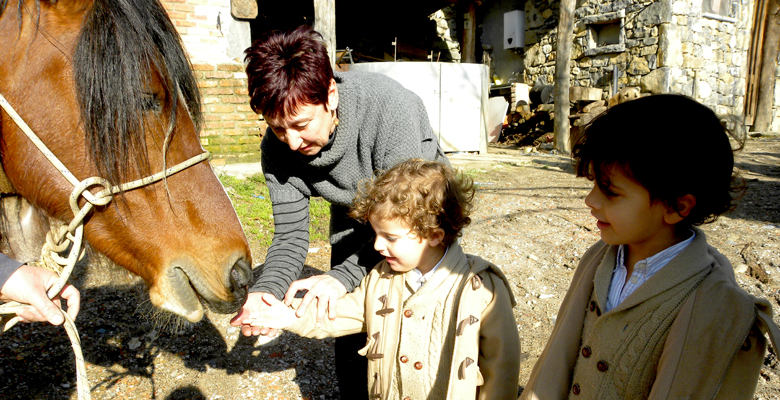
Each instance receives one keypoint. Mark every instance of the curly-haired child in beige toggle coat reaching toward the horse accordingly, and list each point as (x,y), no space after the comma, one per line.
(439,322)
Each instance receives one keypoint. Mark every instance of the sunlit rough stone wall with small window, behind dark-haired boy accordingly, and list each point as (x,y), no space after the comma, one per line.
(664,46)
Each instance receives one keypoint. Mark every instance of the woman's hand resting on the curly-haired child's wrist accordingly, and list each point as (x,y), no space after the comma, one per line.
(325,288)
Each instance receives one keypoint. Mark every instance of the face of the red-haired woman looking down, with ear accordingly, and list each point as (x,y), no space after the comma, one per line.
(309,129)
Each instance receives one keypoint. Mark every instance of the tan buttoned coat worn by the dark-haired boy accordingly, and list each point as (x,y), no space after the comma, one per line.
(712,347)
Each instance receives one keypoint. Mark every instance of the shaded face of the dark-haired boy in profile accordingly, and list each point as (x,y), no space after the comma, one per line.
(626,215)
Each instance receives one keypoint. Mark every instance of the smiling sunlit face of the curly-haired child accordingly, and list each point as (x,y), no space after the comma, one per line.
(403,249)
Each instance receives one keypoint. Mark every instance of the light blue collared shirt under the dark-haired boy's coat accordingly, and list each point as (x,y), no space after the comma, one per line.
(620,289)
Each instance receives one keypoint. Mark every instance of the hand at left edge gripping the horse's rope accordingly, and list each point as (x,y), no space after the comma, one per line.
(29,285)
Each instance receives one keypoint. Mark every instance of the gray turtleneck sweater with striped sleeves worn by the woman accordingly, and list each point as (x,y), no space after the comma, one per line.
(380,124)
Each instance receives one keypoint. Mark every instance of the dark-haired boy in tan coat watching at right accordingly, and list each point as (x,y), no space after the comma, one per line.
(653,311)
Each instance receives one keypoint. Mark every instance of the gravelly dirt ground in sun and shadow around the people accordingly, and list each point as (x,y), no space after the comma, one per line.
(530,220)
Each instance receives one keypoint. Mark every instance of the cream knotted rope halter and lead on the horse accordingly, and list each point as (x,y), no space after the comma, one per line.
(60,237)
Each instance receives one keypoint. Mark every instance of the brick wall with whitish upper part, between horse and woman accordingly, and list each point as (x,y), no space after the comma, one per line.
(215,43)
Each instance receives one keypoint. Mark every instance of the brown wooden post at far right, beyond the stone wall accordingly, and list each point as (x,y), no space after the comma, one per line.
(766,87)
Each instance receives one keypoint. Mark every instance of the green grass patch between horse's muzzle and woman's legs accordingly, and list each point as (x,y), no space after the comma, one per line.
(253,206)
